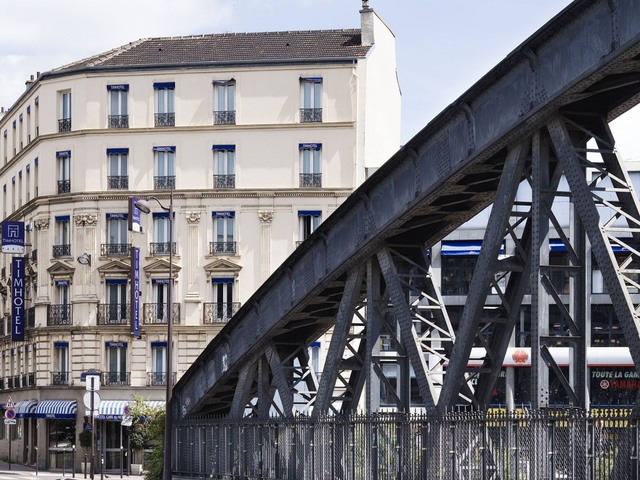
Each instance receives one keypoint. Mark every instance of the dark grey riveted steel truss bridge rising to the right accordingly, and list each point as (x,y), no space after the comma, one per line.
(541,115)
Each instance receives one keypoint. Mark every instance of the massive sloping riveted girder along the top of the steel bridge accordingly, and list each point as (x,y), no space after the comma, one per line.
(584,60)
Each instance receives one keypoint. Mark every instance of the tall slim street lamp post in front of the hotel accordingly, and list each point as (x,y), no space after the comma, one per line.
(144,208)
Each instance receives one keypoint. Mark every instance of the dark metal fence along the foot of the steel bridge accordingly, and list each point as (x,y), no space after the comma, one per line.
(567,444)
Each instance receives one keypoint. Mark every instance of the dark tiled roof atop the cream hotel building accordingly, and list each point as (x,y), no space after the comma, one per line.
(230,48)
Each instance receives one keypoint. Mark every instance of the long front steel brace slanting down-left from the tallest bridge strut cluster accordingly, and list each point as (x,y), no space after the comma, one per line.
(483,275)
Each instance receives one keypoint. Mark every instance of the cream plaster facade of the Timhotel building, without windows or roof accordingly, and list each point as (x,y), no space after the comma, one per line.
(359,95)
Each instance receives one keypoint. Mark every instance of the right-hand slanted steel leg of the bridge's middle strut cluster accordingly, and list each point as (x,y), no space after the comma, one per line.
(409,336)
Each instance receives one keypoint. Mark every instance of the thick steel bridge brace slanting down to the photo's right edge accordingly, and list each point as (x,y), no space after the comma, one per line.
(601,247)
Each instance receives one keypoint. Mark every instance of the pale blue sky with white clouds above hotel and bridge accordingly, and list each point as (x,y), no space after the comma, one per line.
(443,47)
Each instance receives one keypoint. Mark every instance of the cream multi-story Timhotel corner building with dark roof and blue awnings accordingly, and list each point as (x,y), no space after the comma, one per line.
(254,137)
